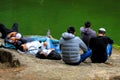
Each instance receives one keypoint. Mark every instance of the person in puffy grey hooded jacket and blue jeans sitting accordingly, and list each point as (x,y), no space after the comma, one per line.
(71,47)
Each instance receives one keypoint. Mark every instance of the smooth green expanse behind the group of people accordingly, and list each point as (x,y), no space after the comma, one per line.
(37,16)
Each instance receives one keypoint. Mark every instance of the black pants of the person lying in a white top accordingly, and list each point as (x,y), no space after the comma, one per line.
(53,56)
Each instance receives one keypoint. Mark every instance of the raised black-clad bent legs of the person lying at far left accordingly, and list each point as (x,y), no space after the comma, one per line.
(5,31)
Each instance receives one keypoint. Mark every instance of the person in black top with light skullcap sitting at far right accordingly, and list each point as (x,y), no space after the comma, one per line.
(101,47)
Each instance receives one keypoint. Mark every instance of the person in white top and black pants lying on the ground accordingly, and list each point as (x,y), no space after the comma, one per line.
(38,49)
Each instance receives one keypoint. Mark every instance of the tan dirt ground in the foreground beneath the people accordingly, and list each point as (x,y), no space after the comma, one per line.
(43,69)
